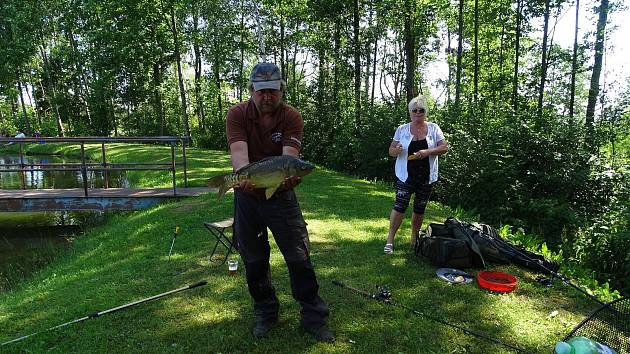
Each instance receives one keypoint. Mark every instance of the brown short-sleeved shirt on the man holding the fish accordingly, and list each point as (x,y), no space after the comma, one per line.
(264,138)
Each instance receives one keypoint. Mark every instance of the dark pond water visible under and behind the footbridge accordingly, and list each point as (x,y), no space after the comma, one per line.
(30,240)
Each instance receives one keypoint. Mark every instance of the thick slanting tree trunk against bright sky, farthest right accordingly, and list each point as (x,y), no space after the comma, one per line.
(593,91)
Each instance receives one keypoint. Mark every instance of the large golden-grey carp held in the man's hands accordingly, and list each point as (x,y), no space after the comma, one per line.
(268,173)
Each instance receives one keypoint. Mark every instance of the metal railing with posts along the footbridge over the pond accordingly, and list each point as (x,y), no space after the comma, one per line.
(84,166)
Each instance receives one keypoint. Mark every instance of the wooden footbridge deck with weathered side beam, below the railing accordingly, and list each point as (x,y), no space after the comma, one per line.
(74,199)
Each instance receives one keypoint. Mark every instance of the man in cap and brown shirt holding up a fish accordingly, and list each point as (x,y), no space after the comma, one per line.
(261,127)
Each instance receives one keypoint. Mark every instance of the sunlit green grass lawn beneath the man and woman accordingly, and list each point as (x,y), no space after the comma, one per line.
(126,259)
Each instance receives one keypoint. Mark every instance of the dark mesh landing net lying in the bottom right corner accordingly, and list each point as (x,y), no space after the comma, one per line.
(609,324)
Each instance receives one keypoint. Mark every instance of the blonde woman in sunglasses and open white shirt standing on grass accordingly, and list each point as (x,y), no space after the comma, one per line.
(416,146)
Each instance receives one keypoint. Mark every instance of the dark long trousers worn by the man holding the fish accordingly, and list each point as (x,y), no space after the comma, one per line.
(282,215)
